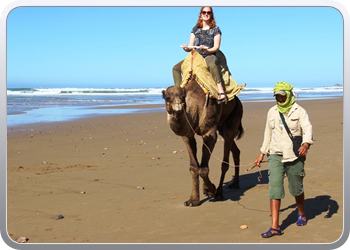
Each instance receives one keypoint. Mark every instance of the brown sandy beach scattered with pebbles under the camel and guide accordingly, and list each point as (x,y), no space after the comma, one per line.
(124,179)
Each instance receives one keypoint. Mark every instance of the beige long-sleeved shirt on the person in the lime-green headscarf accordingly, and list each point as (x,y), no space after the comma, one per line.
(276,139)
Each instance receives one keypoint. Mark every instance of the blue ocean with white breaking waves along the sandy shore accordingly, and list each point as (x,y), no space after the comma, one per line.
(37,105)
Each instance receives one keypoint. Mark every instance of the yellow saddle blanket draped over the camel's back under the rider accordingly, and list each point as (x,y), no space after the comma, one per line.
(195,62)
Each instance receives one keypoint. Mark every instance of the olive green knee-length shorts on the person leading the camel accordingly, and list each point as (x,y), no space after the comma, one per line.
(294,171)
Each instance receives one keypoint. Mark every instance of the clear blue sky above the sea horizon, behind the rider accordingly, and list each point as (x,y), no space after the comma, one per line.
(127,47)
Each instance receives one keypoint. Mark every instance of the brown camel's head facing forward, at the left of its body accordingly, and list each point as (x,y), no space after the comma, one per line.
(174,99)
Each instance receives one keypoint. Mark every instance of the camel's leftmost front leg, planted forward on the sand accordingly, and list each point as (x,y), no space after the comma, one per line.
(191,146)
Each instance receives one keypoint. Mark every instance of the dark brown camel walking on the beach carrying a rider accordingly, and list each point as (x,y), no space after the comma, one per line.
(189,109)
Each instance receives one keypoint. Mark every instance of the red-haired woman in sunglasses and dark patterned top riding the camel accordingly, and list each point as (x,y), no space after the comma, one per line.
(207,36)
